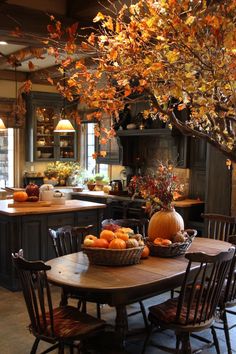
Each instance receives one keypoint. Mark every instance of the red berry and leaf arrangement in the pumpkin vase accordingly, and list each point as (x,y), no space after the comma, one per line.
(158,190)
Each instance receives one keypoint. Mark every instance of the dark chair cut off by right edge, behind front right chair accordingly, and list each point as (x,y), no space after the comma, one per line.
(228,300)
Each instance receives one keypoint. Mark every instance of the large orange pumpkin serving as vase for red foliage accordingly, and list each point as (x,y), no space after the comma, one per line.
(165,224)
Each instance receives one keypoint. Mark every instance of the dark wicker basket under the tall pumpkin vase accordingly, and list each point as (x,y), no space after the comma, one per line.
(175,249)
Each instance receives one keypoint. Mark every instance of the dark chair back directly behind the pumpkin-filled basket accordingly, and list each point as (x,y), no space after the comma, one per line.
(138,225)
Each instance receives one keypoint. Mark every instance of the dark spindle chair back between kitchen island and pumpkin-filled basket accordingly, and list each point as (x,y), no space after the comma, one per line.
(68,239)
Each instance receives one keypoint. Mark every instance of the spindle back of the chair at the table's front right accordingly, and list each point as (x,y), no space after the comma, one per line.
(200,293)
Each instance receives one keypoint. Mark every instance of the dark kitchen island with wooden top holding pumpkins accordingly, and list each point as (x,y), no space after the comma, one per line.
(27,228)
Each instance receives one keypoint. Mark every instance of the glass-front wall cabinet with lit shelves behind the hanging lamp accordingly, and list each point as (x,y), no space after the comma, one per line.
(43,112)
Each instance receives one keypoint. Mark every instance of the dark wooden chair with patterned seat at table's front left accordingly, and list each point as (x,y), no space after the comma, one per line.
(60,326)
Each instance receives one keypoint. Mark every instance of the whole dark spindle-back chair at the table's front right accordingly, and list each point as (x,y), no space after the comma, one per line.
(194,309)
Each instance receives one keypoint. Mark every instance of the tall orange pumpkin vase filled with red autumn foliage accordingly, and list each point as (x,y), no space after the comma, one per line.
(159,191)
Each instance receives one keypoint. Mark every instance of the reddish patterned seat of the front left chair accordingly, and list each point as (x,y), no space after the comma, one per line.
(69,322)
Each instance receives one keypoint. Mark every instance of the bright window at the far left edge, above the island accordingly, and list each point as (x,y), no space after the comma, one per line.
(7,158)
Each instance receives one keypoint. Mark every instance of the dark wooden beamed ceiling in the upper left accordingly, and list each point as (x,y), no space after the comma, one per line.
(19,13)
